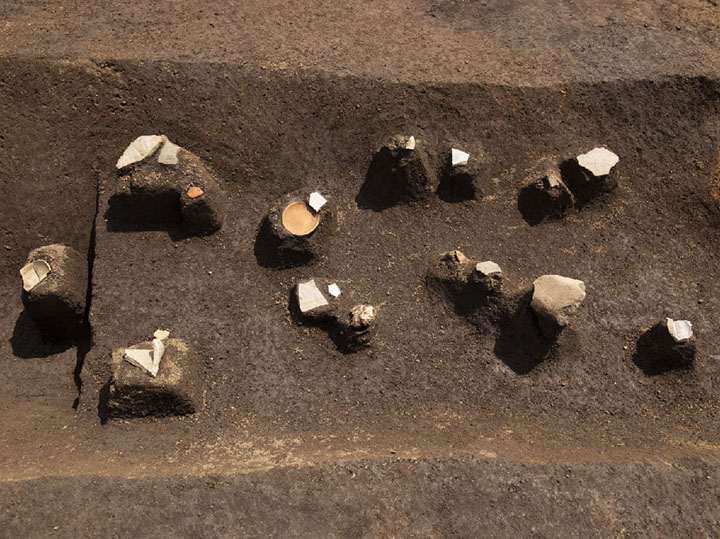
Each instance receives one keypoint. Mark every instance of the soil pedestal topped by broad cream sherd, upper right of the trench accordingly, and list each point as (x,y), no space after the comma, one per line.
(590,174)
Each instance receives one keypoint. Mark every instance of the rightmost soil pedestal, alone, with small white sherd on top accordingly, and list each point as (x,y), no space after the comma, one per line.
(668,345)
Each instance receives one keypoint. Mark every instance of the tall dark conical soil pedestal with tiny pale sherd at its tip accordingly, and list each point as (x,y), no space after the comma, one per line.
(400,172)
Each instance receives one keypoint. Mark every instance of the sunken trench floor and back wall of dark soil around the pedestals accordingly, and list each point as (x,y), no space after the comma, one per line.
(648,250)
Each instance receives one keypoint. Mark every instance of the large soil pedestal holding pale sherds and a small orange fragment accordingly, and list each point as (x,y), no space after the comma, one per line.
(174,189)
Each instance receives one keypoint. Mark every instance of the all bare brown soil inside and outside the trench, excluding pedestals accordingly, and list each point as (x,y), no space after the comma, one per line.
(445,426)
